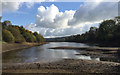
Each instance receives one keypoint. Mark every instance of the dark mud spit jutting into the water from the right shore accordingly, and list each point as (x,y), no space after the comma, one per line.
(110,54)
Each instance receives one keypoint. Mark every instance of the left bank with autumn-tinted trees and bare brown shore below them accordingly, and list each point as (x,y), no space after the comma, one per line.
(16,37)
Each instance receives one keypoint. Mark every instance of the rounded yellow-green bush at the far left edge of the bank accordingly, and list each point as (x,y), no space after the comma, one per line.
(7,36)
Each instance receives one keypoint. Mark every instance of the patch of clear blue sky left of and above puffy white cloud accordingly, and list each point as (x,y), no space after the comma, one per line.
(28,15)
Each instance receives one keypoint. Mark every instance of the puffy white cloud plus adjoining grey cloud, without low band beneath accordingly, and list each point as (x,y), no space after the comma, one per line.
(88,13)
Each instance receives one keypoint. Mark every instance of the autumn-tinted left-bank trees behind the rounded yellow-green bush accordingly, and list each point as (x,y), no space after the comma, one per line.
(20,34)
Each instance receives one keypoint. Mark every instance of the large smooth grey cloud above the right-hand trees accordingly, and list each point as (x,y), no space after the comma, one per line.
(92,12)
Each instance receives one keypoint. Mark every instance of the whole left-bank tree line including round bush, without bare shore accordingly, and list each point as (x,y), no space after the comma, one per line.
(18,34)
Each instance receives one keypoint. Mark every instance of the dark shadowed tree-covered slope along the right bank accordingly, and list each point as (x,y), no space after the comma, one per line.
(107,33)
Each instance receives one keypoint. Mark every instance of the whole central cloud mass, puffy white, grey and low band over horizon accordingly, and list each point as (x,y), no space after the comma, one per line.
(52,23)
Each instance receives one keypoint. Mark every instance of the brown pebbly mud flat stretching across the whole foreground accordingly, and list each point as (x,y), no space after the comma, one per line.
(64,66)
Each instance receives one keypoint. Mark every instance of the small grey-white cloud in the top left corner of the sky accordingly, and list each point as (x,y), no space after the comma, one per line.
(14,5)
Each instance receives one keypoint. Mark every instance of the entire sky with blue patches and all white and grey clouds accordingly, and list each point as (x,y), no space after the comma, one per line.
(55,19)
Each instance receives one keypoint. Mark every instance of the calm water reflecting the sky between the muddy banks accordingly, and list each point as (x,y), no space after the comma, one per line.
(43,54)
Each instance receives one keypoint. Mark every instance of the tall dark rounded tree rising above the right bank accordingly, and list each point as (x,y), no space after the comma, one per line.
(106,29)
